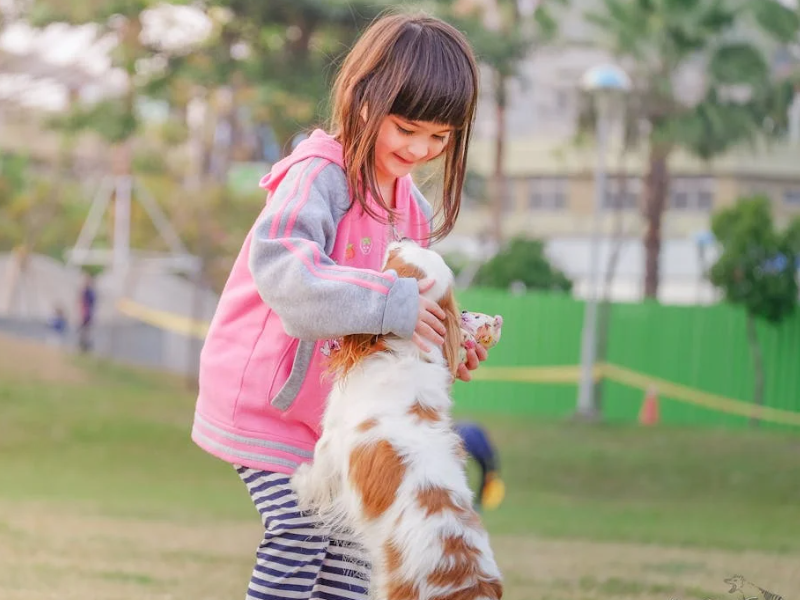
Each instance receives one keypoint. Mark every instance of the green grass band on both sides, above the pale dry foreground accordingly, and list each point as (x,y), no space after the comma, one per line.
(119,444)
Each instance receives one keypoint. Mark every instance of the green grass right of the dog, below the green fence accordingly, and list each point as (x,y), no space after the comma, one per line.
(695,487)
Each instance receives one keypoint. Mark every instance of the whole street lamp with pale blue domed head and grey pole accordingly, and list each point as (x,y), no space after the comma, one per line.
(607,84)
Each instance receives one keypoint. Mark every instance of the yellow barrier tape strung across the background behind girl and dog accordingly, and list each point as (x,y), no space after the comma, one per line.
(545,374)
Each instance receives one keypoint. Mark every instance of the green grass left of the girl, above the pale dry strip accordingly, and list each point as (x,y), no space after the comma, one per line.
(118,444)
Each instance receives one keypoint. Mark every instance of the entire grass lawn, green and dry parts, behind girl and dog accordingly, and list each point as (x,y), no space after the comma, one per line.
(103,495)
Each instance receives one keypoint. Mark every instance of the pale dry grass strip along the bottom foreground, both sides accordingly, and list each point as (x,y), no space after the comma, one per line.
(46,554)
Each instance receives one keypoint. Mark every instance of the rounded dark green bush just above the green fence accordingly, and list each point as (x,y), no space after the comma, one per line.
(522,261)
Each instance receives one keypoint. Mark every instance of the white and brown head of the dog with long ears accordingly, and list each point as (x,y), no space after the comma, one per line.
(408,259)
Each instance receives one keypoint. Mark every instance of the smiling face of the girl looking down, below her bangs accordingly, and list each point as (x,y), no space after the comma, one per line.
(402,145)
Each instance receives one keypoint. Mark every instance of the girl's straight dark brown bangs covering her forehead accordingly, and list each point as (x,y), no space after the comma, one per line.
(438,82)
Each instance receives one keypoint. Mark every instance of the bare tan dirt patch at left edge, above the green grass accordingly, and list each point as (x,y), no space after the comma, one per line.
(25,360)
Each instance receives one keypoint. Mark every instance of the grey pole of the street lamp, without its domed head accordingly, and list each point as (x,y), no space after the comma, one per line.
(586,404)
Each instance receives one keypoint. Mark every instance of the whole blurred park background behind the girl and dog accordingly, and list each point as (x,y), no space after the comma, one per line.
(632,209)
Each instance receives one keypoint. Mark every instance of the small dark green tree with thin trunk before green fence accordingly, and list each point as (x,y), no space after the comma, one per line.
(757,270)
